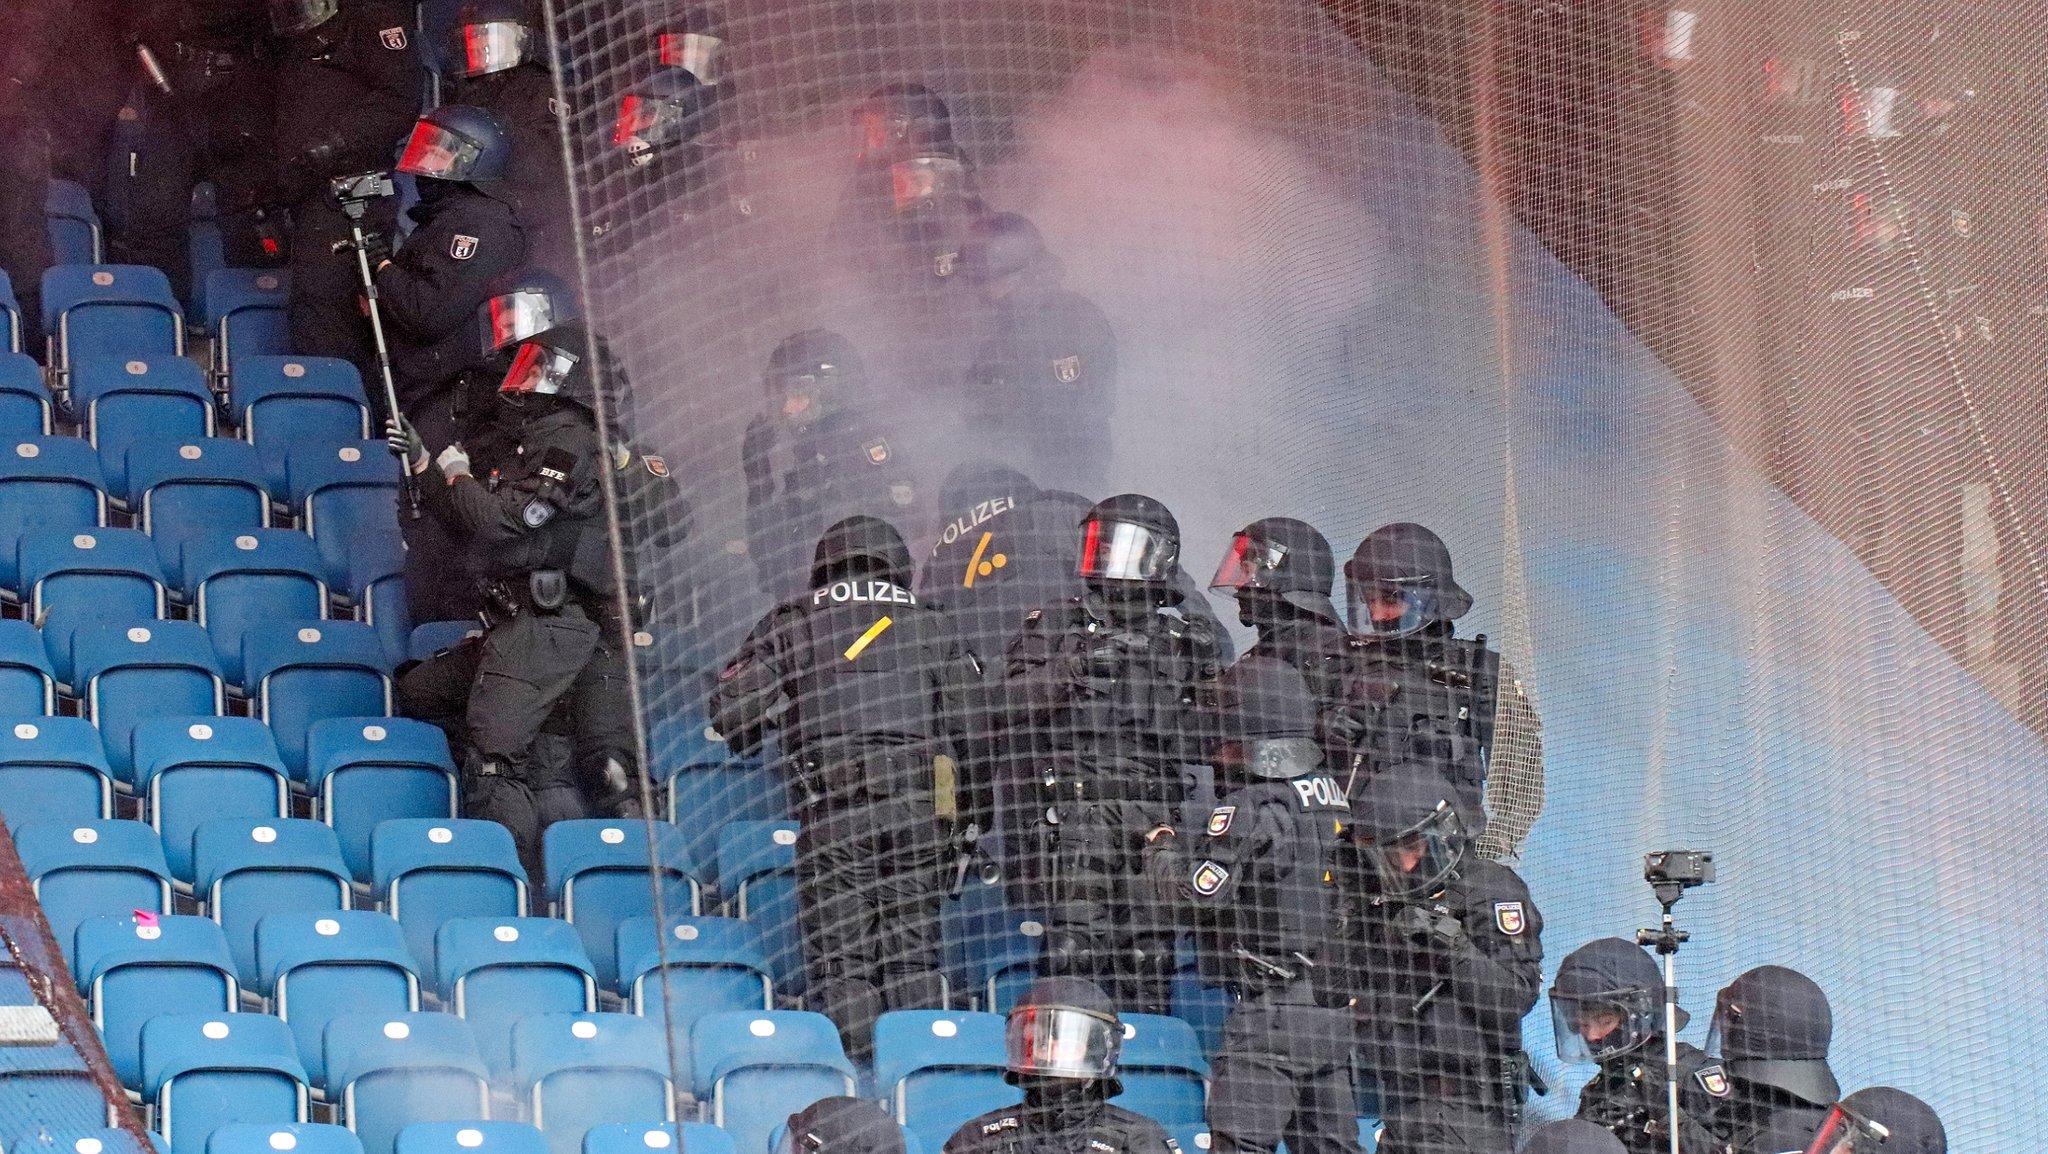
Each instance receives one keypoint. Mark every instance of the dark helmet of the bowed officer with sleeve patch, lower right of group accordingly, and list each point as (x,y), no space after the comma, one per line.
(1408,825)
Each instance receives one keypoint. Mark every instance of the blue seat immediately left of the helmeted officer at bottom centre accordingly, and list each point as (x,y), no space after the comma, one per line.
(941,1069)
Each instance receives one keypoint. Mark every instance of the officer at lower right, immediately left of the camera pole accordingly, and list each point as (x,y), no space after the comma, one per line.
(1607,1007)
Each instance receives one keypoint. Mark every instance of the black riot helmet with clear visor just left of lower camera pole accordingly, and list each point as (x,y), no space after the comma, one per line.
(1607,1001)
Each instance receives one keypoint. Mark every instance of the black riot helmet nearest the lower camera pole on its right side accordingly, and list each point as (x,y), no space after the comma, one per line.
(1773,1026)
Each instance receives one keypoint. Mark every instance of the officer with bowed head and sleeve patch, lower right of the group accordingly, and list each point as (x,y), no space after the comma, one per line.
(1449,960)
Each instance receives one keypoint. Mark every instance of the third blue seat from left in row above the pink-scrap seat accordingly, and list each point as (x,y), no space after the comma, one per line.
(427,872)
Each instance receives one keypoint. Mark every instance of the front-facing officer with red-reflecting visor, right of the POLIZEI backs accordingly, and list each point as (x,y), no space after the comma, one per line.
(1119,688)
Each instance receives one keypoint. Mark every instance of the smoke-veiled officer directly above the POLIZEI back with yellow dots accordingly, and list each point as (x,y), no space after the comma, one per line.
(1046,368)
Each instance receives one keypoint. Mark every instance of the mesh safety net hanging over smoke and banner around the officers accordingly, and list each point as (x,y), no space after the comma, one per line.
(1707,339)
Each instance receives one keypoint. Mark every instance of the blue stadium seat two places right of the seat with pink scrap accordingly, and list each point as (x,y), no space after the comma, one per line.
(499,971)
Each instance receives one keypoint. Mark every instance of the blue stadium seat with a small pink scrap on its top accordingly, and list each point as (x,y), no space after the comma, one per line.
(134,971)
